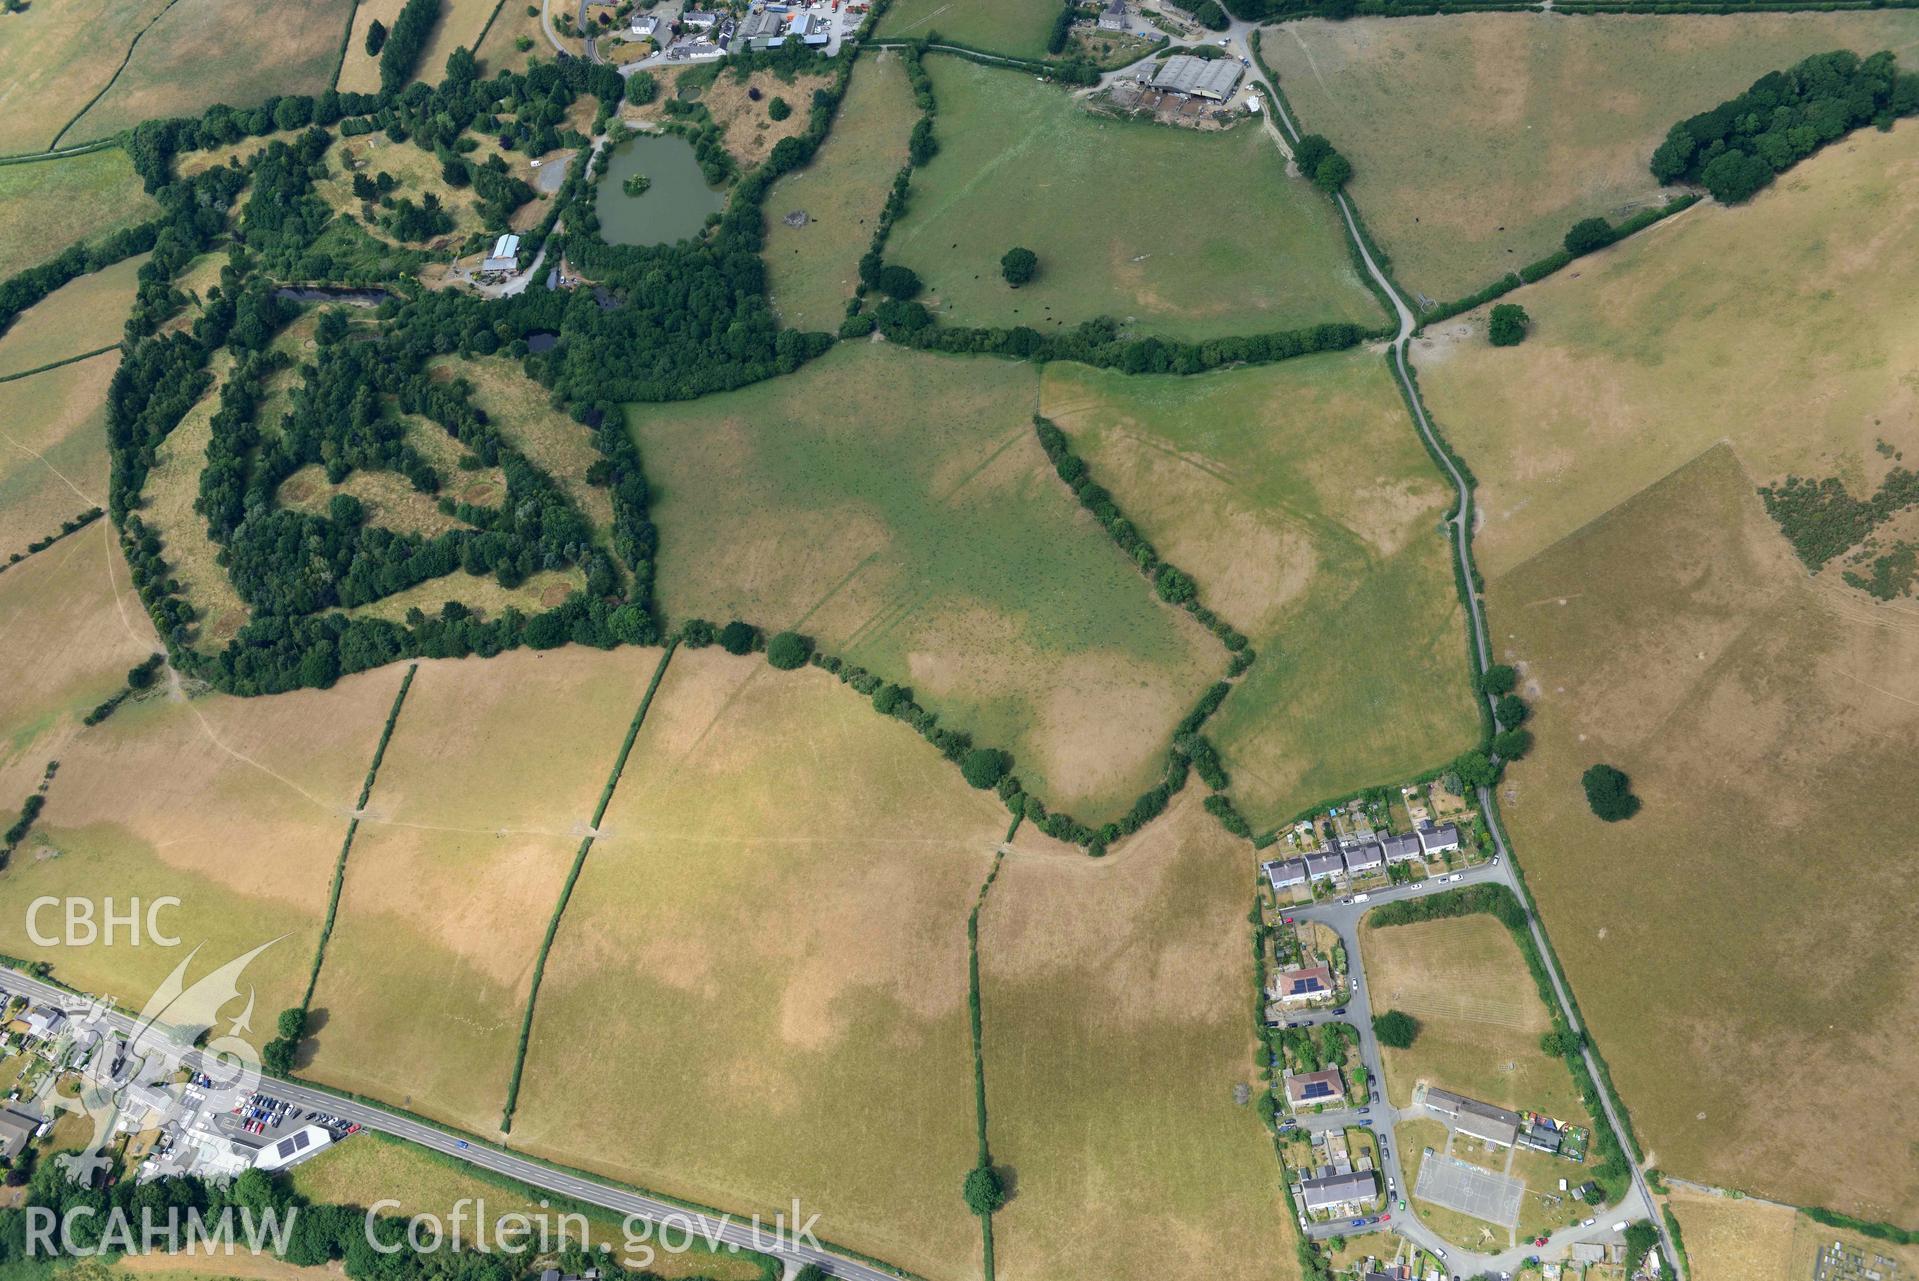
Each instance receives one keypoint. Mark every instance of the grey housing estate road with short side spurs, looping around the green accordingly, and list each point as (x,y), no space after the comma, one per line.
(1379,1115)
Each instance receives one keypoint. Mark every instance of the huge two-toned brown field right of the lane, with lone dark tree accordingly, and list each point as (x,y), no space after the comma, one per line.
(1745,931)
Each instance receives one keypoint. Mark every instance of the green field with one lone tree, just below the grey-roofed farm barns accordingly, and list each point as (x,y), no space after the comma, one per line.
(1112,210)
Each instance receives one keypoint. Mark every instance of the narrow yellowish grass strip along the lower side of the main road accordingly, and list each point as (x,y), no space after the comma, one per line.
(371,1169)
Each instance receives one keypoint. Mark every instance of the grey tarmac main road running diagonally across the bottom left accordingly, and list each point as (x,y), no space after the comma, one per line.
(772,1240)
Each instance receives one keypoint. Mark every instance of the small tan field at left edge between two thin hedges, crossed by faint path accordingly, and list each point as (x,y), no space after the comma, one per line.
(53,450)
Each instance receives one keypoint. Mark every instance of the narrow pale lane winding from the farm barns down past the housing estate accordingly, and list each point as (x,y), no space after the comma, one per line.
(1461,524)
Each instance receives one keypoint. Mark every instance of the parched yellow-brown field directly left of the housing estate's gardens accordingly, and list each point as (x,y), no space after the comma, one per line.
(1116,1029)
